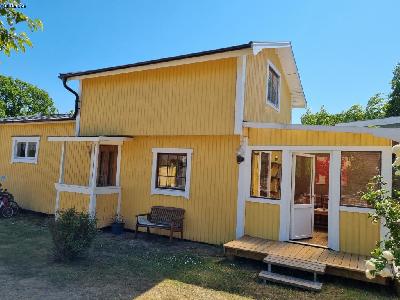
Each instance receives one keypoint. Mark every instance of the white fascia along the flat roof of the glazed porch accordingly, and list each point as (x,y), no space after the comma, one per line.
(389,133)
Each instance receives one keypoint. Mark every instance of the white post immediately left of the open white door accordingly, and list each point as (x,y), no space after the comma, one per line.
(286,195)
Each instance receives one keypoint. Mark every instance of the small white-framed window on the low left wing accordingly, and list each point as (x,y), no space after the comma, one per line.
(25,149)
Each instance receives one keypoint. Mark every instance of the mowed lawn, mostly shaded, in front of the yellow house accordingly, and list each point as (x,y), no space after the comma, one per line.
(150,267)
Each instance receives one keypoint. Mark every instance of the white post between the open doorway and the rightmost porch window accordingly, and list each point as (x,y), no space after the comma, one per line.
(334,201)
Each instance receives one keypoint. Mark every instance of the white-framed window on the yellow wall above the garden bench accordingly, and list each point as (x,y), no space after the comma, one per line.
(171,171)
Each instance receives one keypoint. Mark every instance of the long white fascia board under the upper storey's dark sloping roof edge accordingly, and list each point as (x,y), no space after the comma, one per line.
(166,64)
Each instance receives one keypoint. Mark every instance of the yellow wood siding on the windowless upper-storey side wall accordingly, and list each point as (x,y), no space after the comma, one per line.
(194,99)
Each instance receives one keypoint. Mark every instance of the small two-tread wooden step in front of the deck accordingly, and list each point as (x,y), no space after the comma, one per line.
(293,263)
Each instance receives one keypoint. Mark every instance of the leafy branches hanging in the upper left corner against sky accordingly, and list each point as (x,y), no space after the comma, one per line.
(11,38)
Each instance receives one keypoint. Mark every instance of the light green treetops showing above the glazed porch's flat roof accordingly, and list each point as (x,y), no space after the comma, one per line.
(375,109)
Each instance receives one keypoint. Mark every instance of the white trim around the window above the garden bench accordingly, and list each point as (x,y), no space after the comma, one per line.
(171,192)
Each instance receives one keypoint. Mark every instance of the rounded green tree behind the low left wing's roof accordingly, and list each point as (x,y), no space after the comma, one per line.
(19,98)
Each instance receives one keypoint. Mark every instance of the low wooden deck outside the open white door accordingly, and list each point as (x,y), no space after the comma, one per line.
(337,263)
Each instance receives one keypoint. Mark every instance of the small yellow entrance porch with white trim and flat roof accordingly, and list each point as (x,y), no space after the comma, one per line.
(89,175)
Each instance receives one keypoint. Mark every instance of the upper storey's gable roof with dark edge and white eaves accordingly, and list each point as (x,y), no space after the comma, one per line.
(283,49)
